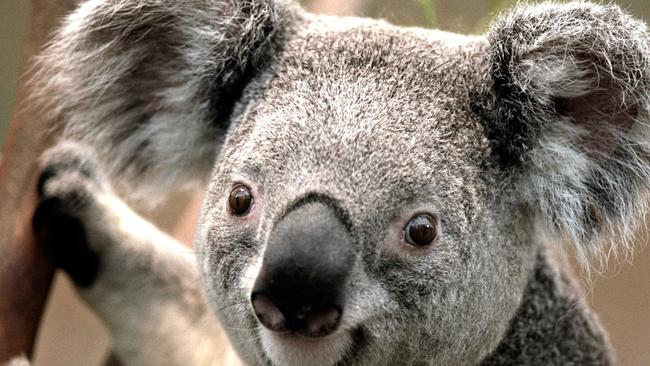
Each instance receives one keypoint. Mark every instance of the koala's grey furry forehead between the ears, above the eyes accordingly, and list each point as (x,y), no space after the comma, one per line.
(351,109)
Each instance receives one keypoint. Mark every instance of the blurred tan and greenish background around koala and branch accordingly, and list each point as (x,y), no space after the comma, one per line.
(72,336)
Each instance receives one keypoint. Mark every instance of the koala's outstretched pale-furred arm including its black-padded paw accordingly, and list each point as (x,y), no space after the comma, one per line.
(142,283)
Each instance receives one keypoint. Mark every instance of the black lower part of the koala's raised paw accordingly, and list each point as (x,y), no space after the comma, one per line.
(64,239)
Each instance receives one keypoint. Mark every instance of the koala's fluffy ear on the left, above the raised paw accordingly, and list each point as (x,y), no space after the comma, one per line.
(151,85)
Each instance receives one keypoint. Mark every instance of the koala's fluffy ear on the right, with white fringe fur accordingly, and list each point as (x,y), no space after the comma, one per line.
(567,116)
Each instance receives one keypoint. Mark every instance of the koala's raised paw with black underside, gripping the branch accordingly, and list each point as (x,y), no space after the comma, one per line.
(67,186)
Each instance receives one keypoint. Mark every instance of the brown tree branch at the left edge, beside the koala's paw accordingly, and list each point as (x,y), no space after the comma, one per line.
(25,274)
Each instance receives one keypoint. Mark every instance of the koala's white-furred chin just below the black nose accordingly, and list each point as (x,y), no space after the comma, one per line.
(284,350)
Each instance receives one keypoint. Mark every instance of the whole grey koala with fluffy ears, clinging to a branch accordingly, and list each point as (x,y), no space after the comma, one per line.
(375,195)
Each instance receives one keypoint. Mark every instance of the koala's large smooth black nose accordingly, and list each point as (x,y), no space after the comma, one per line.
(301,285)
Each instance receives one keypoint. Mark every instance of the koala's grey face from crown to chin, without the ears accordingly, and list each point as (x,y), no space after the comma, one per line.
(353,152)
